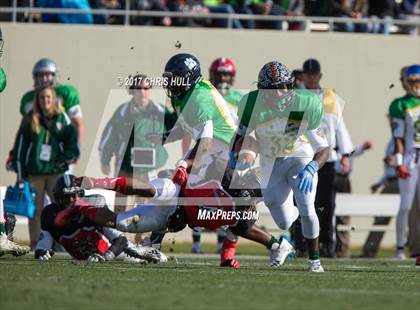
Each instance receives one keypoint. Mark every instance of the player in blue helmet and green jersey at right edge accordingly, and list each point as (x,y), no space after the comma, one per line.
(405,118)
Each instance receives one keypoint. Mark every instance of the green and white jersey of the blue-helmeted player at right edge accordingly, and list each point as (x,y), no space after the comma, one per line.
(405,117)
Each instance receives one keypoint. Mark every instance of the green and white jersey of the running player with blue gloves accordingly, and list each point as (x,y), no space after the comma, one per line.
(292,131)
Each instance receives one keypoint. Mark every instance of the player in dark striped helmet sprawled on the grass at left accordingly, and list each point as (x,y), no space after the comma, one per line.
(82,238)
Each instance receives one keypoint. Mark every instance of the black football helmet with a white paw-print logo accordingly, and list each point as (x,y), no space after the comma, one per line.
(182,72)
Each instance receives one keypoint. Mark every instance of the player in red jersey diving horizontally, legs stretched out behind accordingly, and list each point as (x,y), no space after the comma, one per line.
(146,218)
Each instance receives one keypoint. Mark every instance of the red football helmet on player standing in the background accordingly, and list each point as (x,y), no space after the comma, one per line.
(222,73)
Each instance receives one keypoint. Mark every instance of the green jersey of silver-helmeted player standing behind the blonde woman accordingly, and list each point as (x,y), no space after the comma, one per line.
(67,97)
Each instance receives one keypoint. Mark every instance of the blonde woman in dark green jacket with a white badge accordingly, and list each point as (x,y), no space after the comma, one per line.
(45,144)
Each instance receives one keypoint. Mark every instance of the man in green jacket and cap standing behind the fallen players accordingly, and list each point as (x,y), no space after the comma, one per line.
(124,137)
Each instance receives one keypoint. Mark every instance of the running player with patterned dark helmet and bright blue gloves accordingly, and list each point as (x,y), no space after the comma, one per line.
(287,123)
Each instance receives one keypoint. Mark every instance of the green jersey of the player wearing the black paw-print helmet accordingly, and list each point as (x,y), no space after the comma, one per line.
(203,107)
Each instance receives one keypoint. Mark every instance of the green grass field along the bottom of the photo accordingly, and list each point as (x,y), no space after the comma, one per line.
(196,282)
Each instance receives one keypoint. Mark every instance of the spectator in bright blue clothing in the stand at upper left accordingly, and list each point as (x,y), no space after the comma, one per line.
(66,18)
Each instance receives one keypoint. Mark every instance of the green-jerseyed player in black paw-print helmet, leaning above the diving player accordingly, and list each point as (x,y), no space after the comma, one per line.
(203,113)
